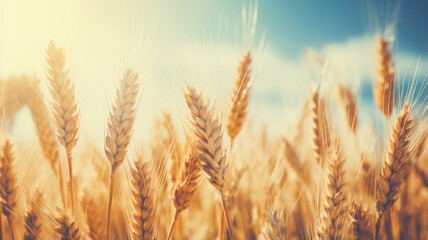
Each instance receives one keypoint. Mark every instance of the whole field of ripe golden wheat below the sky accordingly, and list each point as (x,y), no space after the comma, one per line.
(209,171)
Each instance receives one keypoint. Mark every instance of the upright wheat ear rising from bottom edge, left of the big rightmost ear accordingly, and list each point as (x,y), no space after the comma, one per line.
(335,202)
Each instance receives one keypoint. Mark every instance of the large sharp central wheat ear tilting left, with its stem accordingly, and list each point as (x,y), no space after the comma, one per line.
(208,144)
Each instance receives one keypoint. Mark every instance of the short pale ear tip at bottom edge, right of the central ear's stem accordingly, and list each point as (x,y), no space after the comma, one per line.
(276,229)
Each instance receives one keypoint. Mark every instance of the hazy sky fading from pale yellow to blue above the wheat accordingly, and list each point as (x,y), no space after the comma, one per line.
(295,45)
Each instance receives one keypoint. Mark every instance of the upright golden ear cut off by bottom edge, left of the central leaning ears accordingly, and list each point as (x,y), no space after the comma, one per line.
(142,201)
